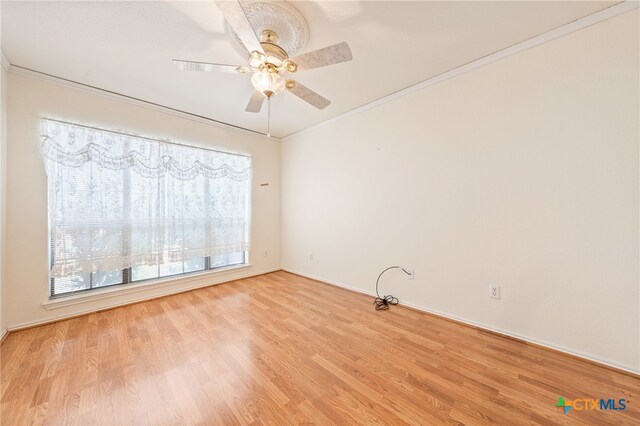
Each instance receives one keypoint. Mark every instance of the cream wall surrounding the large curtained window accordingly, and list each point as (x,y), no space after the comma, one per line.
(29,99)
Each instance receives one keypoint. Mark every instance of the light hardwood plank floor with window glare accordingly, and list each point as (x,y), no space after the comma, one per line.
(281,349)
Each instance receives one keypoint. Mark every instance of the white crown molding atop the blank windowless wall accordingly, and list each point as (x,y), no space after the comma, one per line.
(579,24)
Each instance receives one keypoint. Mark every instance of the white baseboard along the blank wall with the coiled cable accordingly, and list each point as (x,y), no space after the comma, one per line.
(491,328)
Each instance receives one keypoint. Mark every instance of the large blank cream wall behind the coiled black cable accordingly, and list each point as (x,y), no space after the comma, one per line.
(523,173)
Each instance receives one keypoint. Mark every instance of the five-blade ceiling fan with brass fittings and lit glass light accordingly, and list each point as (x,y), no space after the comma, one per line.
(269,62)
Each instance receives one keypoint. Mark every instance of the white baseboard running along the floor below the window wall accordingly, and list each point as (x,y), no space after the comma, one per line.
(167,292)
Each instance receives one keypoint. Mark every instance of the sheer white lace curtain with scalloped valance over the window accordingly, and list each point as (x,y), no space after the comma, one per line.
(118,201)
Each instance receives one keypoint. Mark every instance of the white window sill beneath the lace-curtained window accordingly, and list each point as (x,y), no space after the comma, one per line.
(108,292)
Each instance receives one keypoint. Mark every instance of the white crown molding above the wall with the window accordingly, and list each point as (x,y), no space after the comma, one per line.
(18,70)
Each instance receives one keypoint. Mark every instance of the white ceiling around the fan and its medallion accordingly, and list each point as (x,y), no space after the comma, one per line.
(127,47)
